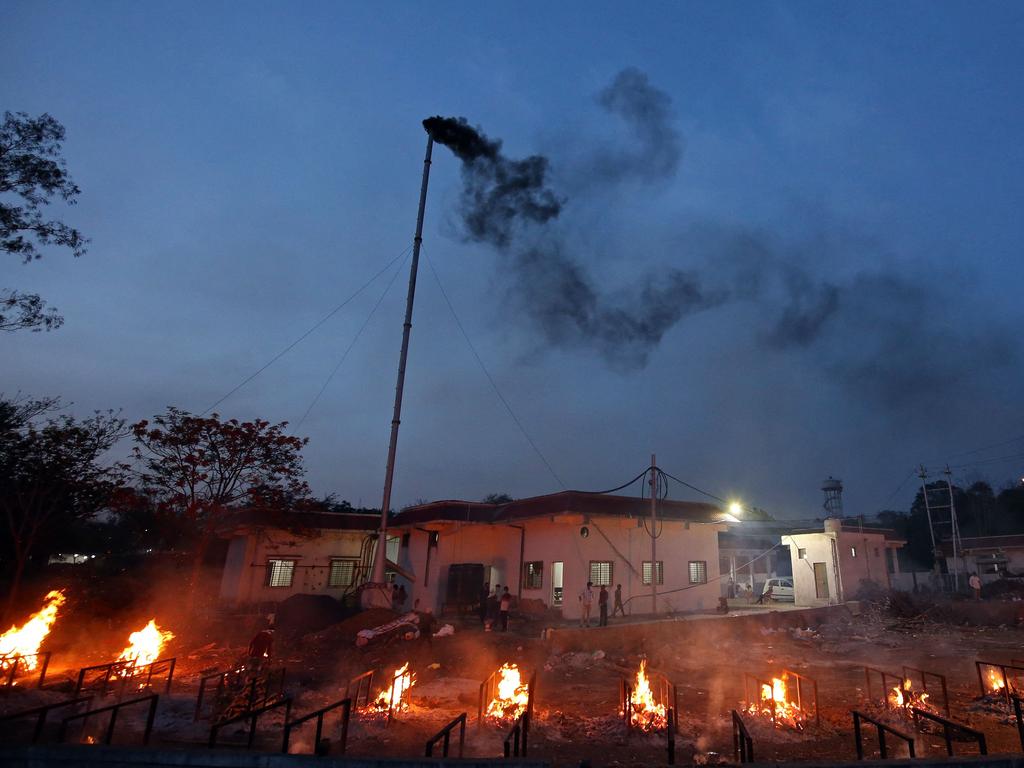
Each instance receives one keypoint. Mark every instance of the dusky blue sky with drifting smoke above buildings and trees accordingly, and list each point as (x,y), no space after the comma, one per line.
(794,234)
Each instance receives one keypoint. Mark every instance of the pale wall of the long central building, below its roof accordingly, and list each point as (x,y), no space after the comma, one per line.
(547,541)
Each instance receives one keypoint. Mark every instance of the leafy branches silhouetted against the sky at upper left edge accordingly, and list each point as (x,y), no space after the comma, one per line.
(33,168)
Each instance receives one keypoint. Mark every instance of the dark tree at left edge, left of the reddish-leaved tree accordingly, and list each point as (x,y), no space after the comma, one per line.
(51,476)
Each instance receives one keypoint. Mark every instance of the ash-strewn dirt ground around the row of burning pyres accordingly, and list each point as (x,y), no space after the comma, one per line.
(577,697)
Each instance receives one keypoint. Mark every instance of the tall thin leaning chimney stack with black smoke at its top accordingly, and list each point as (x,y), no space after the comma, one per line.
(379,595)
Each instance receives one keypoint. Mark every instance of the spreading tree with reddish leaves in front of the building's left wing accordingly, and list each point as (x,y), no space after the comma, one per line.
(202,470)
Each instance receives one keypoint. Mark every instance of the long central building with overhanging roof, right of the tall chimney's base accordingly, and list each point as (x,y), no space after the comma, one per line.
(548,547)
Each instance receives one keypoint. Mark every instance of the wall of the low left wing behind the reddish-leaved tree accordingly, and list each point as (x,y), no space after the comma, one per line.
(244,580)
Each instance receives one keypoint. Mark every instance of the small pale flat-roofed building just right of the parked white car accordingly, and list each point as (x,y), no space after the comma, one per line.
(829,565)
